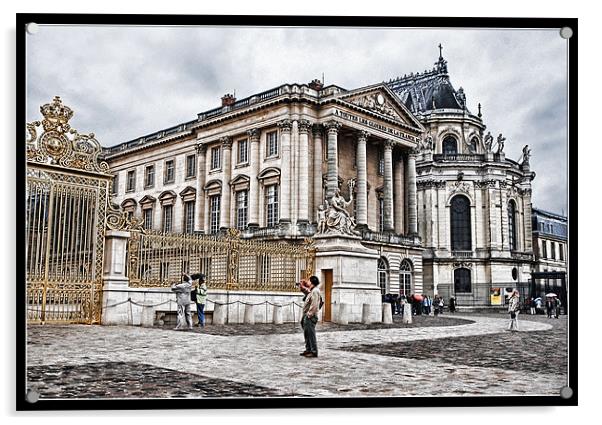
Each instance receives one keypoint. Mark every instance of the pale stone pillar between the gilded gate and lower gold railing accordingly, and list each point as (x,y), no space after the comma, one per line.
(115,306)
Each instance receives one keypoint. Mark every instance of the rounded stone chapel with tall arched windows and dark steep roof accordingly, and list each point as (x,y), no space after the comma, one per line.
(474,205)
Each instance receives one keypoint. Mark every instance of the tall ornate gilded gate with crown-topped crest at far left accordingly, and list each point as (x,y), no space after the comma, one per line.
(67,212)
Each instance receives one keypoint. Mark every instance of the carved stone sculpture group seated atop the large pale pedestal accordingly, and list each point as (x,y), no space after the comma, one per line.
(333,217)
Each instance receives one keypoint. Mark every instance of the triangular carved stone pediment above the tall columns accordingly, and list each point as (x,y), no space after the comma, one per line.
(379,99)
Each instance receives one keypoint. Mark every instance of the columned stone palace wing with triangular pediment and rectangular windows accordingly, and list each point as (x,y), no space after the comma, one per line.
(265,165)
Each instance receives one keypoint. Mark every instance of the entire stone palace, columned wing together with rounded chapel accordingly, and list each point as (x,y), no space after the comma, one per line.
(426,190)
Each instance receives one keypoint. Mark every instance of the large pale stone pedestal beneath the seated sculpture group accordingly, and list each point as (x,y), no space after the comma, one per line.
(354,275)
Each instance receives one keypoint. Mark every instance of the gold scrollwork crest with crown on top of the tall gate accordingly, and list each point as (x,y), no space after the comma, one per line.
(61,145)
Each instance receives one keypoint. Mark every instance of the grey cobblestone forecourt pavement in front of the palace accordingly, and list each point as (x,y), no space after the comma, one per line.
(393,361)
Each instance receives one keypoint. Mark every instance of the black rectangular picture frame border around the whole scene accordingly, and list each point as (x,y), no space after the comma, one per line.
(319,21)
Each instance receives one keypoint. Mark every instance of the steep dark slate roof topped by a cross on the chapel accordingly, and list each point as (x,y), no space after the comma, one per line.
(423,92)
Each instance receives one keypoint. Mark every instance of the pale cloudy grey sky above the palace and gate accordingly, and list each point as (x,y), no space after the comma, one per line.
(126,82)
